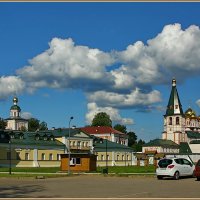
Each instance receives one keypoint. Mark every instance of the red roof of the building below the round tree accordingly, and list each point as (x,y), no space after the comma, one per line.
(100,130)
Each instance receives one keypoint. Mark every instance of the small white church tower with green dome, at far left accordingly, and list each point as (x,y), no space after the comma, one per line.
(15,122)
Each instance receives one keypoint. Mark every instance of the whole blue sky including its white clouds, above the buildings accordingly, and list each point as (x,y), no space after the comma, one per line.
(78,59)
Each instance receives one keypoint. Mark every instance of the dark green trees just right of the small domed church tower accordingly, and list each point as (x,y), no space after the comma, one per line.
(35,124)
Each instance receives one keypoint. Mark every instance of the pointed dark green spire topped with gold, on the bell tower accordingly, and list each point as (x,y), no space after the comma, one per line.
(174,105)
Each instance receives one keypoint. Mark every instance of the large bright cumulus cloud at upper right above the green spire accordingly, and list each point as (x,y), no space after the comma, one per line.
(173,52)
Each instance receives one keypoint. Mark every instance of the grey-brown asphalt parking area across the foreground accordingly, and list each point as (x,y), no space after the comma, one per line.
(99,186)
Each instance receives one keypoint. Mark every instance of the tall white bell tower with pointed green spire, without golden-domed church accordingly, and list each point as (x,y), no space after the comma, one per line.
(174,120)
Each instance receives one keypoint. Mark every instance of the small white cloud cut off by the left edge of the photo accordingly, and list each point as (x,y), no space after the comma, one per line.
(10,85)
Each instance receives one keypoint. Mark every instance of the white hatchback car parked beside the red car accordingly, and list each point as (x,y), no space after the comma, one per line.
(174,167)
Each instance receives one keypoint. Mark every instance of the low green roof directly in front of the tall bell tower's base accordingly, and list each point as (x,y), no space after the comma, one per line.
(162,143)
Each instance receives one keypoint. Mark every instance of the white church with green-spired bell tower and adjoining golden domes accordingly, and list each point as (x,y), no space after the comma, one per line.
(181,127)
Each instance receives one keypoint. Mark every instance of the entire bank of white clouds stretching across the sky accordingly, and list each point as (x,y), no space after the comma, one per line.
(173,52)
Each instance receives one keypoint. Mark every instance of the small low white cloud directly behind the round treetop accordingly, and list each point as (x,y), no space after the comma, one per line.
(93,109)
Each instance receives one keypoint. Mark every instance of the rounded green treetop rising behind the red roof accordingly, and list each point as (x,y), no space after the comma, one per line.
(101,119)
